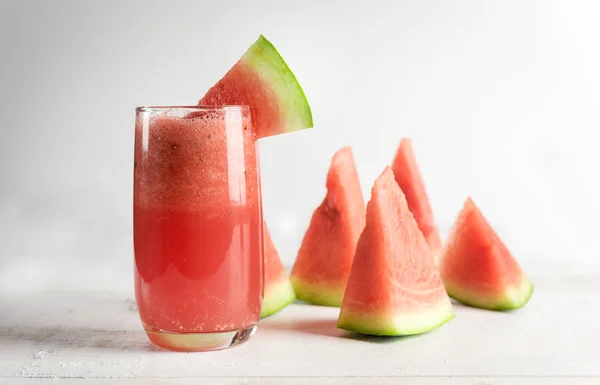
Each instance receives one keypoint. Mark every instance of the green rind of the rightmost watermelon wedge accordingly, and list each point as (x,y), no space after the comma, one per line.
(511,299)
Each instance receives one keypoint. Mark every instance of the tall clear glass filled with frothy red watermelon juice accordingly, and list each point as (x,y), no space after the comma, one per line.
(197,221)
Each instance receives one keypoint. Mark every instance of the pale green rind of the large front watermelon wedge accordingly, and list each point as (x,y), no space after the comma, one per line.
(364,322)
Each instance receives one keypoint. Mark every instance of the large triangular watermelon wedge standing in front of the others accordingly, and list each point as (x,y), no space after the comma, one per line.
(394,287)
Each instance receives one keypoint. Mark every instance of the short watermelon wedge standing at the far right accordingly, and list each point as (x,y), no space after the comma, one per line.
(478,269)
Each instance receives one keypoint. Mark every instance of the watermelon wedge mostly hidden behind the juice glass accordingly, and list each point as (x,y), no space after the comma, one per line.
(278,288)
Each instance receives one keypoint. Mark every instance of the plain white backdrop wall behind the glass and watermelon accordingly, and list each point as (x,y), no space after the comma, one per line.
(501,99)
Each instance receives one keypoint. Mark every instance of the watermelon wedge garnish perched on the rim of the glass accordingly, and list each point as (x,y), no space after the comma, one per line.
(262,80)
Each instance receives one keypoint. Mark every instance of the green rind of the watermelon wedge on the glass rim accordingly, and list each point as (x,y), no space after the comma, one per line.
(264,58)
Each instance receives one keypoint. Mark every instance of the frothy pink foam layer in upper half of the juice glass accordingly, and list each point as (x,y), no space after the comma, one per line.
(206,160)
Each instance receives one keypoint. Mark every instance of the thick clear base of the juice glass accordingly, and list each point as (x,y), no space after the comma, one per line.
(199,342)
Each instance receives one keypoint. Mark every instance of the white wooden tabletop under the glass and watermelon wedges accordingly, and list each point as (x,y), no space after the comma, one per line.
(94,337)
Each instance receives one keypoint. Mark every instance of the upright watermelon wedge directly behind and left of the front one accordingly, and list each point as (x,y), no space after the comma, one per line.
(325,257)
